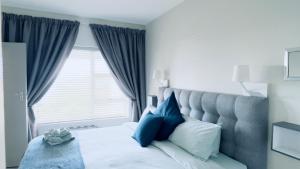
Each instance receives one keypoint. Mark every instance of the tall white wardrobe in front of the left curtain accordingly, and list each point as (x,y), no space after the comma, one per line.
(15,103)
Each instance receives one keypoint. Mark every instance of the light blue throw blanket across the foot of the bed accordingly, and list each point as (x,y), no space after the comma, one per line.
(40,155)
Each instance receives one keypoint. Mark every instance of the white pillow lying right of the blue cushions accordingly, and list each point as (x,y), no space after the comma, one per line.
(202,139)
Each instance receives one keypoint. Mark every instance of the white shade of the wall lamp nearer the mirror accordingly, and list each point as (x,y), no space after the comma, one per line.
(240,73)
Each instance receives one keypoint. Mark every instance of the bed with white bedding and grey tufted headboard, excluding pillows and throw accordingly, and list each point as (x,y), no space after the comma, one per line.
(243,139)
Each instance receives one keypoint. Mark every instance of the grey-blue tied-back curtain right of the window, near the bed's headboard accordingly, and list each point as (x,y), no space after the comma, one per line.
(124,51)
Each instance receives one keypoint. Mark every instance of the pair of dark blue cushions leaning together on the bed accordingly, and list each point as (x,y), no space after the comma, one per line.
(166,118)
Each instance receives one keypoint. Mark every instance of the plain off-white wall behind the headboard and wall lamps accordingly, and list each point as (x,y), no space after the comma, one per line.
(200,41)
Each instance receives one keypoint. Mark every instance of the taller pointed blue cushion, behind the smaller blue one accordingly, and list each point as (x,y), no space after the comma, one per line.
(170,111)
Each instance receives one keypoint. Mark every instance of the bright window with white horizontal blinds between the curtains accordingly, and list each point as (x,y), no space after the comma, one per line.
(84,89)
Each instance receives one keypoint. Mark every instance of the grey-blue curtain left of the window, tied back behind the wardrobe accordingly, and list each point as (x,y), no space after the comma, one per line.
(49,43)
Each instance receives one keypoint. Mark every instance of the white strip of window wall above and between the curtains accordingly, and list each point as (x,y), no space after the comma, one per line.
(85,37)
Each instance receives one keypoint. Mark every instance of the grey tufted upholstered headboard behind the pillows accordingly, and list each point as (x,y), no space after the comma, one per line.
(244,122)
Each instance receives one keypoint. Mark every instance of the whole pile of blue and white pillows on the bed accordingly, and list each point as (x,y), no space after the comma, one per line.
(201,139)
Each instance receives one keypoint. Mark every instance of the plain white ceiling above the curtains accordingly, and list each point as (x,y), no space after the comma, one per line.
(132,11)
